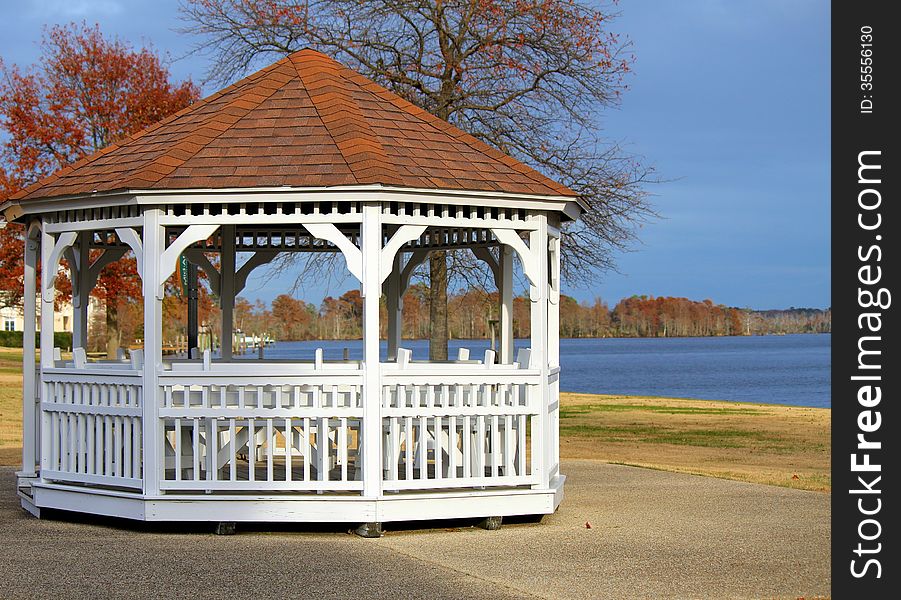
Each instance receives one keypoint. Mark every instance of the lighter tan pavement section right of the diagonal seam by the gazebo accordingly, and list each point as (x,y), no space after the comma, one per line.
(653,535)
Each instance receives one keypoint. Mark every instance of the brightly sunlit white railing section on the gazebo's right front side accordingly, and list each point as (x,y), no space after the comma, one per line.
(453,426)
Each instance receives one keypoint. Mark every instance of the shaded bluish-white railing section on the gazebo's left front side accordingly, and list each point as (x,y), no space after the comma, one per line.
(91,426)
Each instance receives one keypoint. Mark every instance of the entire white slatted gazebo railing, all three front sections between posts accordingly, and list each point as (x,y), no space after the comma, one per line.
(239,428)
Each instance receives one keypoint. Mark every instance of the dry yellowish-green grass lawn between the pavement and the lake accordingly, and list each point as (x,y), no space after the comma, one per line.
(762,443)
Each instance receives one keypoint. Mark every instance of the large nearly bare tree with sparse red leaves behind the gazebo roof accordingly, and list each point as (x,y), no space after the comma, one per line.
(530,77)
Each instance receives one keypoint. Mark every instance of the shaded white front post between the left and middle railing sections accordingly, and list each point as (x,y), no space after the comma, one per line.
(151,431)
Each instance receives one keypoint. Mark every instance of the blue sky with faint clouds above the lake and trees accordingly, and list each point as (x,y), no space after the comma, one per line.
(729,100)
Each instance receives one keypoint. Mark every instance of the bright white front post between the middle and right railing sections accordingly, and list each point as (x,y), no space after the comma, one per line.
(371,244)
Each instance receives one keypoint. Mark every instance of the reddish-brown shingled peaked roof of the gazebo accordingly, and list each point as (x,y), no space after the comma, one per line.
(305,121)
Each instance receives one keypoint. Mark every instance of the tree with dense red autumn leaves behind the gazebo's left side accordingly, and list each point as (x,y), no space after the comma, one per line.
(87,92)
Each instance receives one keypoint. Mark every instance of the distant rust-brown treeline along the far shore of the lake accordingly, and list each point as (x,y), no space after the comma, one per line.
(471,314)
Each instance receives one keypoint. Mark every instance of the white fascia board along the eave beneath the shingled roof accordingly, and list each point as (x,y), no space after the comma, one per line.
(568,205)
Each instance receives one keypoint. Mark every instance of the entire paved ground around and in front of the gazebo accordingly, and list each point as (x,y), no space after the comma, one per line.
(653,535)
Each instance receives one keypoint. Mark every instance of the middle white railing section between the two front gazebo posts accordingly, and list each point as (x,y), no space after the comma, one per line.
(261,431)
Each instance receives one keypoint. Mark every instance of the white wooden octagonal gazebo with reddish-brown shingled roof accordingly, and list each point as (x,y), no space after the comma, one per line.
(303,156)
